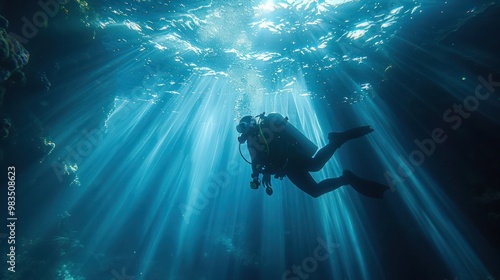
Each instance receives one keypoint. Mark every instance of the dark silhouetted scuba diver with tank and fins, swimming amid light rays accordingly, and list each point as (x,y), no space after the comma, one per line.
(277,148)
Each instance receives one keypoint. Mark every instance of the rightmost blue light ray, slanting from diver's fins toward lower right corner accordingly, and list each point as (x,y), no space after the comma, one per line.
(427,204)
